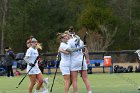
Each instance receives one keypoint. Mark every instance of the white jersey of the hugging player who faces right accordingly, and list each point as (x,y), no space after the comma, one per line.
(65,58)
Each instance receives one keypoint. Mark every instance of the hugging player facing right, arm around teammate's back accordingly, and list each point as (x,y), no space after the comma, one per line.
(65,50)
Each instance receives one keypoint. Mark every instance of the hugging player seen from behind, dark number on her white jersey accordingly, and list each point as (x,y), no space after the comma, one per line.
(76,64)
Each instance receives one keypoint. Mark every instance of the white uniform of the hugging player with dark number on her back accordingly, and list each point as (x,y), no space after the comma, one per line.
(77,56)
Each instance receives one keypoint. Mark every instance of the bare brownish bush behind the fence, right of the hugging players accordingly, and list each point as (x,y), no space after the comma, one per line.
(99,41)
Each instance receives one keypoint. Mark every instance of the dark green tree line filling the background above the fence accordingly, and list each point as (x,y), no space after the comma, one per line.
(111,24)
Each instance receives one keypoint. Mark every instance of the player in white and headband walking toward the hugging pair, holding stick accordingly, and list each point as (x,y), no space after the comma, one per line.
(35,74)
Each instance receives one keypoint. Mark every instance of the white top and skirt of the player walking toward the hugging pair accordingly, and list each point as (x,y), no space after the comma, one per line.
(32,54)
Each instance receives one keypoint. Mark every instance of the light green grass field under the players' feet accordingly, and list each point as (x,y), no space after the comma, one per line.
(101,83)
